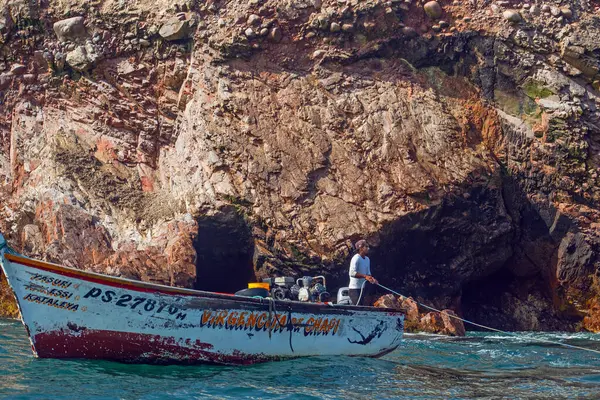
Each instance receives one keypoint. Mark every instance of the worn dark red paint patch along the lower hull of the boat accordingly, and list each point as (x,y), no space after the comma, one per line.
(133,348)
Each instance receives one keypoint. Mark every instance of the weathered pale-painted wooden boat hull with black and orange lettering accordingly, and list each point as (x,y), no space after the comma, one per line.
(69,313)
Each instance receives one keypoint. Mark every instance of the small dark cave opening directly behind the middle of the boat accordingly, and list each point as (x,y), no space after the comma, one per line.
(224,248)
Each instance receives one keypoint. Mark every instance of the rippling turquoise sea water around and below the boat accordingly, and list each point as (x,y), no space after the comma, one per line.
(479,366)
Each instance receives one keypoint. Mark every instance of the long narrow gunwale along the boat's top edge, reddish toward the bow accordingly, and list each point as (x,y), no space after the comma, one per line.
(131,284)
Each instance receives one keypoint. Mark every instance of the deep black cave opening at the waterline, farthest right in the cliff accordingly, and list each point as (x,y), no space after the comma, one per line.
(522,295)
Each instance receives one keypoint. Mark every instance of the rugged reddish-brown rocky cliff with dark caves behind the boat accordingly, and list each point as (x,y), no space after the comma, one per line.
(202,144)
